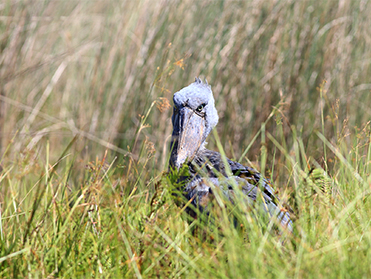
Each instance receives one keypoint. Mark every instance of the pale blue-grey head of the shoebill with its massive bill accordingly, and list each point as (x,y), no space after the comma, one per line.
(194,116)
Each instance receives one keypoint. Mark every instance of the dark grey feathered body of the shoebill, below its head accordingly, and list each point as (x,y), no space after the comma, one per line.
(208,170)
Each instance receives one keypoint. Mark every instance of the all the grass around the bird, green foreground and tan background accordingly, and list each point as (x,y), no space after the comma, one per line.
(85,92)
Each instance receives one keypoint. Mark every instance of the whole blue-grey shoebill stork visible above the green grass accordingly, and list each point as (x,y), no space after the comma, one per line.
(194,116)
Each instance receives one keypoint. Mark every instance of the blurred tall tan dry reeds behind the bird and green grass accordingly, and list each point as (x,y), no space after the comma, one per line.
(106,71)
